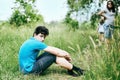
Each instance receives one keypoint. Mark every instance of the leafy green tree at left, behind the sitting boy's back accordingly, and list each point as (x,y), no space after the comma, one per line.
(24,13)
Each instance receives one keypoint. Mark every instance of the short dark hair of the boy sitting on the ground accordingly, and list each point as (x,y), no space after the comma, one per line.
(42,30)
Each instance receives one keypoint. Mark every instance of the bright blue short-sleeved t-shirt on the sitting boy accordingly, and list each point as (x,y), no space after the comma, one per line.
(28,54)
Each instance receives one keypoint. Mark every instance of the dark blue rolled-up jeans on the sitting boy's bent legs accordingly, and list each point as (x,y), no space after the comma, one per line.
(43,62)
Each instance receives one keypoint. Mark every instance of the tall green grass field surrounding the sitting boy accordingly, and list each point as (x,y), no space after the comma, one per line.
(99,63)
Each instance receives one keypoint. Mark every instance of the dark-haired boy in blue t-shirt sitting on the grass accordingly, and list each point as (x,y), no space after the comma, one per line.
(30,62)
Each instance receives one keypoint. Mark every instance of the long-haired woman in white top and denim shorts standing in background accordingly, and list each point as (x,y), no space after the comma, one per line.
(109,14)
